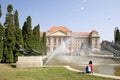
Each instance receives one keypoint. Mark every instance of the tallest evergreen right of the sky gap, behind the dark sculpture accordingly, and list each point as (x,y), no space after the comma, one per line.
(27,33)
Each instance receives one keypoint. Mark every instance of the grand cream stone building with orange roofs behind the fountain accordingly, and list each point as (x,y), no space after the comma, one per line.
(57,34)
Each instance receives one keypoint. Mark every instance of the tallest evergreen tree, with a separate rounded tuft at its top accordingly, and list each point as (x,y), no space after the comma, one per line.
(9,38)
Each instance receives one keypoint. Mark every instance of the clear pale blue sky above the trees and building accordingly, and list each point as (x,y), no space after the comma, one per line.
(77,15)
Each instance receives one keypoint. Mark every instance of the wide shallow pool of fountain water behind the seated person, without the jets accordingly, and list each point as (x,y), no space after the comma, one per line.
(102,64)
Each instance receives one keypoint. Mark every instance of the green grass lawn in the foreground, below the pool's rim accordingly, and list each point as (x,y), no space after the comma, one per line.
(44,73)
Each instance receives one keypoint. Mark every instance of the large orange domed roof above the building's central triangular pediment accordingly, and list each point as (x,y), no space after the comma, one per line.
(56,28)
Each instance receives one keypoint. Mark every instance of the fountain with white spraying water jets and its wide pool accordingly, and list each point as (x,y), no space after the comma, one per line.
(104,62)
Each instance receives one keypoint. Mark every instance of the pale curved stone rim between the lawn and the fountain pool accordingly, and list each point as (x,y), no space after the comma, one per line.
(96,74)
